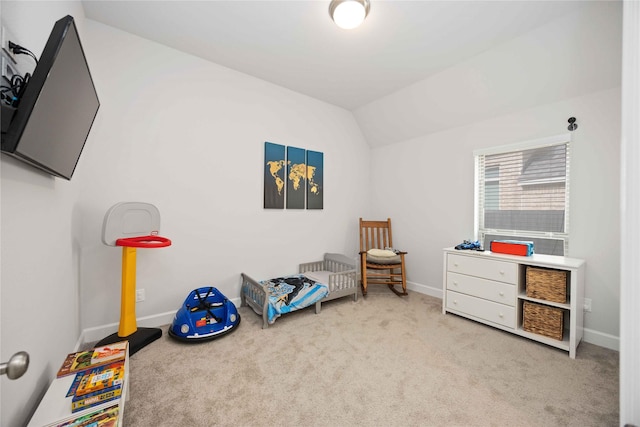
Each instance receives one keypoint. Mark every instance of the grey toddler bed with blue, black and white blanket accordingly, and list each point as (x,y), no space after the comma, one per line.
(316,282)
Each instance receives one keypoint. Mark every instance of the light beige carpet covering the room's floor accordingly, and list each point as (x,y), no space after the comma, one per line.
(380,361)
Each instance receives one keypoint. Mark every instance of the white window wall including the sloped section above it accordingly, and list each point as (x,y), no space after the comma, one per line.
(431,194)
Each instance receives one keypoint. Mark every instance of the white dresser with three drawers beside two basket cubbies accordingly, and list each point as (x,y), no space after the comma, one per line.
(491,288)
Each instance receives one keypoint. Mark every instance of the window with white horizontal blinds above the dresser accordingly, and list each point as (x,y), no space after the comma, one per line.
(523,193)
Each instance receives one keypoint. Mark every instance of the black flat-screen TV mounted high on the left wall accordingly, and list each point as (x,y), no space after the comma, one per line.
(58,106)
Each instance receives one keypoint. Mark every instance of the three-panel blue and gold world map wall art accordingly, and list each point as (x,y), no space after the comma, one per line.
(294,175)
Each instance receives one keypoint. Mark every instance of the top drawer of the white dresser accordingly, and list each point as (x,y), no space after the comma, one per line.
(501,271)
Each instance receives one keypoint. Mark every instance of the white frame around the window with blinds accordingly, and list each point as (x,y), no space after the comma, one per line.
(479,205)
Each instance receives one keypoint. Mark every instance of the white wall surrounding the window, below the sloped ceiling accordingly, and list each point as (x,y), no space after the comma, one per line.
(433,196)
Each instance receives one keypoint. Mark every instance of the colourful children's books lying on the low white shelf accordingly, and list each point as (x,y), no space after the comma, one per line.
(99,375)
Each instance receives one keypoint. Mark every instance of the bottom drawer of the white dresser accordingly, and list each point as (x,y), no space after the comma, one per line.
(482,309)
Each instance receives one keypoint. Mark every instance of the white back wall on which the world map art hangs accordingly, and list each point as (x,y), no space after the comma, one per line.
(188,136)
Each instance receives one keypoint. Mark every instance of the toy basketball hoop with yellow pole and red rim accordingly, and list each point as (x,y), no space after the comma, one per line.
(132,225)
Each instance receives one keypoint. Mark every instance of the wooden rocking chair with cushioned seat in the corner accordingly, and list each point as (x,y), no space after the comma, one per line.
(379,266)
